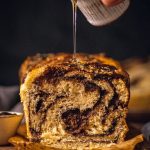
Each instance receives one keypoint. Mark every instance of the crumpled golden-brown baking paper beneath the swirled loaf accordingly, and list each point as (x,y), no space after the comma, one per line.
(20,142)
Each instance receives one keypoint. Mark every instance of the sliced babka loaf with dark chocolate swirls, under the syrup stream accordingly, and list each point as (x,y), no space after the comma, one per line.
(74,103)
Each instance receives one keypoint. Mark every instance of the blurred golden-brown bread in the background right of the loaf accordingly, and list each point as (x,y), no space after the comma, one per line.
(139,71)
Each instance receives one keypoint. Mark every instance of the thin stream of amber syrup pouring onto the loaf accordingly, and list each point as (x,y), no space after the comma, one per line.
(74,8)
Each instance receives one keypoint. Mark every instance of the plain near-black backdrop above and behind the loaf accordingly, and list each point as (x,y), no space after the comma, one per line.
(45,26)
